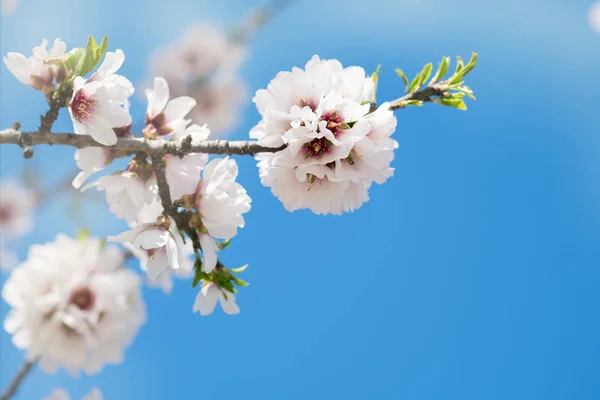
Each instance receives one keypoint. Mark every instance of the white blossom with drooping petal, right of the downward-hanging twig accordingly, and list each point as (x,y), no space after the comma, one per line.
(221,201)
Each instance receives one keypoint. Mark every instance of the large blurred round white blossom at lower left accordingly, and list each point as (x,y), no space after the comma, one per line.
(73,306)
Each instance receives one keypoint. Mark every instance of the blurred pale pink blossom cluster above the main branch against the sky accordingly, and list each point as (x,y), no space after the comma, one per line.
(203,64)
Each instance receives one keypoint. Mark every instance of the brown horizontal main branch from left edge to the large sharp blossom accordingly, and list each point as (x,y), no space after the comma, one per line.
(128,146)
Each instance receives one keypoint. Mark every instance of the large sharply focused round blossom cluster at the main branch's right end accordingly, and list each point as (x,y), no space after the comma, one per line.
(336,147)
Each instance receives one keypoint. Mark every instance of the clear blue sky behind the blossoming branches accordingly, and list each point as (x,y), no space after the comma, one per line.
(472,274)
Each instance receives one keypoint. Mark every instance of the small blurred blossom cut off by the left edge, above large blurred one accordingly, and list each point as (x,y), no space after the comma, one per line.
(16,217)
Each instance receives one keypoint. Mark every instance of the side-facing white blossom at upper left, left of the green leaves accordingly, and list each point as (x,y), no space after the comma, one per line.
(33,71)
